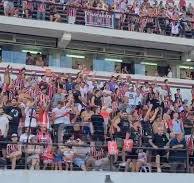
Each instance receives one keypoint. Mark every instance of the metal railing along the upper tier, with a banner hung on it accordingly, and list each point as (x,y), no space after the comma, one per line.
(101,18)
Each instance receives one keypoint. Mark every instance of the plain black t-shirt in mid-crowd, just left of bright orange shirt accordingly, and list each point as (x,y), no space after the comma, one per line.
(98,123)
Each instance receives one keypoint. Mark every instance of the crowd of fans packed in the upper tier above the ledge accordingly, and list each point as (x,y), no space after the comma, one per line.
(175,18)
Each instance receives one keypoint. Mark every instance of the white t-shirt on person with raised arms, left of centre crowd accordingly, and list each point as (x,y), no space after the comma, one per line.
(61,115)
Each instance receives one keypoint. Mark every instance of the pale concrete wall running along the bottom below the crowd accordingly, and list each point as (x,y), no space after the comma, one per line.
(90,177)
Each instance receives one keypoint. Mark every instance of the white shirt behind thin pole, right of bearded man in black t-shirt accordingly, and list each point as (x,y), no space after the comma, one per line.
(27,119)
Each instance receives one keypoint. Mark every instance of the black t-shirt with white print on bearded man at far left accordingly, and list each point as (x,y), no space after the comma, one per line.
(15,113)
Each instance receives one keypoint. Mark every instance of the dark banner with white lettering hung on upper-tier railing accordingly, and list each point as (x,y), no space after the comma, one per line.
(99,19)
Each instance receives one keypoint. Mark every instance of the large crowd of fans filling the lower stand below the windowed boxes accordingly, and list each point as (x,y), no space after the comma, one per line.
(64,122)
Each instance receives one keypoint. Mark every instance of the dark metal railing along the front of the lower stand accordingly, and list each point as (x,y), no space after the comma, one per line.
(83,159)
